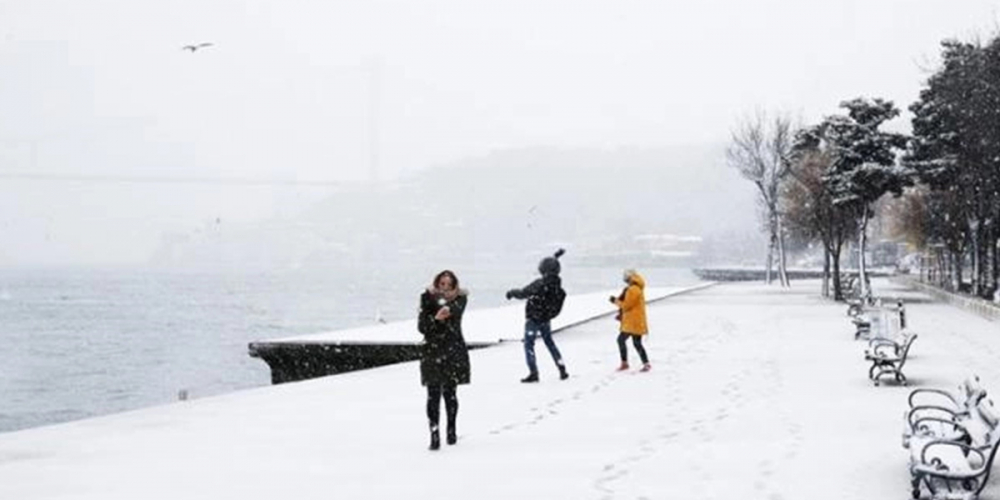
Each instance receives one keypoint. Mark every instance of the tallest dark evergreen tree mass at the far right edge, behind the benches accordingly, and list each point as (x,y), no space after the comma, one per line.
(955,151)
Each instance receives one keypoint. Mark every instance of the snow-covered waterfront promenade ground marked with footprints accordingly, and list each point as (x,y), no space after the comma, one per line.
(756,392)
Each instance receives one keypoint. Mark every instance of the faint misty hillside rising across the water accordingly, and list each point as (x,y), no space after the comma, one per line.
(508,202)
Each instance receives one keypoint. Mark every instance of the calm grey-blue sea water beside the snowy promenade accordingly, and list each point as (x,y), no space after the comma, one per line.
(76,343)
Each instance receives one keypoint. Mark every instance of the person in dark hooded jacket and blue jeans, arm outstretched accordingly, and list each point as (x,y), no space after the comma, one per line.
(538,314)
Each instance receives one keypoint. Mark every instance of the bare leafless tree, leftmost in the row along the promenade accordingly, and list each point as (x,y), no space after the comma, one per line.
(759,149)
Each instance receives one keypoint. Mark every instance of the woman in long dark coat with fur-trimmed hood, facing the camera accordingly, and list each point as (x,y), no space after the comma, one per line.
(444,363)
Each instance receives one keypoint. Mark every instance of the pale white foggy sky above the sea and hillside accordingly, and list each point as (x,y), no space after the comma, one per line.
(300,90)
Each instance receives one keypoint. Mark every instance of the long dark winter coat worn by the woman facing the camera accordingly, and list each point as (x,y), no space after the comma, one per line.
(445,357)
